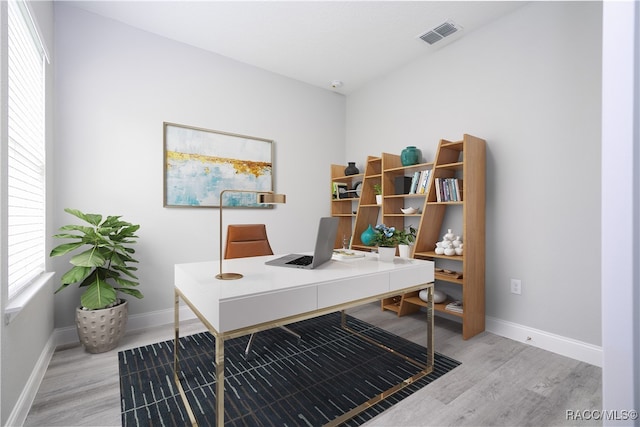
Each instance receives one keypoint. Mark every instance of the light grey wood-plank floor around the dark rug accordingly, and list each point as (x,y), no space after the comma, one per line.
(500,382)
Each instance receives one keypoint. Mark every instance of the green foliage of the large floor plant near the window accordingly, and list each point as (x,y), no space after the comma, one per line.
(103,265)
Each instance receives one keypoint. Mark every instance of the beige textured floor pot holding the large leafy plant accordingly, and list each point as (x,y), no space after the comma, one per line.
(101,330)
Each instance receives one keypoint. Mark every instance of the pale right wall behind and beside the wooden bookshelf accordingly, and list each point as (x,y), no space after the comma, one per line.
(529,84)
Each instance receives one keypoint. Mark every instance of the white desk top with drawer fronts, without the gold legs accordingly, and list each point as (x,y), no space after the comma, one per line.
(267,293)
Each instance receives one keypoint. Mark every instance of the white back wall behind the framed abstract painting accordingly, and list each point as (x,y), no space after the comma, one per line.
(116,85)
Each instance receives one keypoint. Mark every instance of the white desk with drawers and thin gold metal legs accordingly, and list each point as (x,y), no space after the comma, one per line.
(269,296)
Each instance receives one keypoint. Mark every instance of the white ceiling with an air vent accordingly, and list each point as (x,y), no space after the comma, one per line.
(316,42)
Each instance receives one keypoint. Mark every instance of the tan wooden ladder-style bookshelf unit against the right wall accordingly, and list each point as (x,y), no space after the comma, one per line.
(464,160)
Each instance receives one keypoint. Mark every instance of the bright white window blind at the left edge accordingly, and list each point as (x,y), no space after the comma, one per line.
(26,149)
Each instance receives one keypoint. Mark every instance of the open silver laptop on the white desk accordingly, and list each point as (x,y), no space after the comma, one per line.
(327,231)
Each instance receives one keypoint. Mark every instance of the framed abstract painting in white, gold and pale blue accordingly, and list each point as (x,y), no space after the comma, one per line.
(200,163)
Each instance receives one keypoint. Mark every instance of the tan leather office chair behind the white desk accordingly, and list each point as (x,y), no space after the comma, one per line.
(247,240)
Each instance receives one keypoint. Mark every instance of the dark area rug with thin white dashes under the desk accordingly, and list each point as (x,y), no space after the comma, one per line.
(286,383)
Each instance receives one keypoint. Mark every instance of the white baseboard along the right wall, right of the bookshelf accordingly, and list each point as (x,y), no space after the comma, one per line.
(558,344)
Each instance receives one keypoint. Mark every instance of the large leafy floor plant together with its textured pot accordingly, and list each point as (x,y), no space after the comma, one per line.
(101,265)
